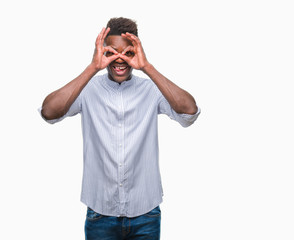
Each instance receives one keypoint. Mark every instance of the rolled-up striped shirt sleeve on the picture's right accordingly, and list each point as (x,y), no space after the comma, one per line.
(184,119)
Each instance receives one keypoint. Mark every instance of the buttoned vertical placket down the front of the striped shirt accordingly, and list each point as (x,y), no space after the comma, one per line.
(121,146)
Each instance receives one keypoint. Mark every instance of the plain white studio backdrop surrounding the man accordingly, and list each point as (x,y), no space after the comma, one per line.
(228,176)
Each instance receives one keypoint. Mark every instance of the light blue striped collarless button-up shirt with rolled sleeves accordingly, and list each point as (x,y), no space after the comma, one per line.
(121,175)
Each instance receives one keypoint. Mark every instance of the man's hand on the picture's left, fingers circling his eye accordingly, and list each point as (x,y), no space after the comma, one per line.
(100,61)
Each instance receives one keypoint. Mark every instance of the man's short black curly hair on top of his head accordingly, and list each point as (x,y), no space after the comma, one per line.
(122,25)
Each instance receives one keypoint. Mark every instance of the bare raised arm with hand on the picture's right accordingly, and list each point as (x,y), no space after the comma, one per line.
(180,100)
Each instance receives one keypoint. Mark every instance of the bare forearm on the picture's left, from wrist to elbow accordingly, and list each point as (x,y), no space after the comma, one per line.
(58,102)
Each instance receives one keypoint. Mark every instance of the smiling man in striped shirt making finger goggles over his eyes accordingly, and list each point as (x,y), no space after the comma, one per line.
(121,178)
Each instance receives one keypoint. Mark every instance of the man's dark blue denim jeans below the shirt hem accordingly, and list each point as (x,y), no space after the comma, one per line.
(101,227)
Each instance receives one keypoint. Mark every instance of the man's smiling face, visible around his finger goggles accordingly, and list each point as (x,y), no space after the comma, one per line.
(118,70)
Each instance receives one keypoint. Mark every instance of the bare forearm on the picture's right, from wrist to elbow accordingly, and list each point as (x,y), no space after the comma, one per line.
(180,100)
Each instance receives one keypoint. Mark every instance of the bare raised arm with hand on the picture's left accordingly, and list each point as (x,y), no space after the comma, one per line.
(58,102)
